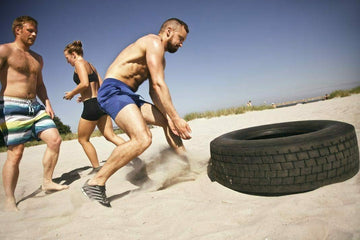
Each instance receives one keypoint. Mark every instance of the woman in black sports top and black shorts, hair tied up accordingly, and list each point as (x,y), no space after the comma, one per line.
(88,82)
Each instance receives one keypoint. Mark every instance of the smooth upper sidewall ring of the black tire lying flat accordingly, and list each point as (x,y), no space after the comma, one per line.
(320,131)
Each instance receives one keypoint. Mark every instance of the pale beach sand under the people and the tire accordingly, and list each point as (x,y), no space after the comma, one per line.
(187,205)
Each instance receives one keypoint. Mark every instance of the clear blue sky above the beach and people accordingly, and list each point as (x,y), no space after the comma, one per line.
(237,50)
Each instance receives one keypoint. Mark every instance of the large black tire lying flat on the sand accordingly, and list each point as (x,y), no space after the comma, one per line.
(285,158)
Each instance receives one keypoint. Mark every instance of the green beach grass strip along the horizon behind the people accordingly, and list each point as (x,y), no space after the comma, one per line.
(206,114)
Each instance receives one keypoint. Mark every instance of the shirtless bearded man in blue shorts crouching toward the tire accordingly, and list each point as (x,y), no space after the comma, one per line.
(141,60)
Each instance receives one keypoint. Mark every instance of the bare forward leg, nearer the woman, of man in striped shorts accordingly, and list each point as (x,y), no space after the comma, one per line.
(53,140)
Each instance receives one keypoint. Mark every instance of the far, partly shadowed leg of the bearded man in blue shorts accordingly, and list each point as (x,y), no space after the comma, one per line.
(153,116)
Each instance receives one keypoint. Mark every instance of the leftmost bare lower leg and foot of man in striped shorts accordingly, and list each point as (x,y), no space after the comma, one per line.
(11,174)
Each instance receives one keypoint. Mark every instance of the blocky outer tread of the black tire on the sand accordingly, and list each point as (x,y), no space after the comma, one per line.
(289,169)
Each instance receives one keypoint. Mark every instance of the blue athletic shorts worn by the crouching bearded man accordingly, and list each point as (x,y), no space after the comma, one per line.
(114,95)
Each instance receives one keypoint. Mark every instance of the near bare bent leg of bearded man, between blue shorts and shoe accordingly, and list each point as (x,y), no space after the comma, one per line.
(132,122)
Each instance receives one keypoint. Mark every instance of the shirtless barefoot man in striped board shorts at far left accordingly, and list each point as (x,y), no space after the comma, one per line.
(22,117)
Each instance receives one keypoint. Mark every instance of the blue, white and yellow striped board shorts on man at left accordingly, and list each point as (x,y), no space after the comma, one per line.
(21,120)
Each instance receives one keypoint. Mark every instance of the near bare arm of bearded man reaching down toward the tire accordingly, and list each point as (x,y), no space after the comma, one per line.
(159,91)
